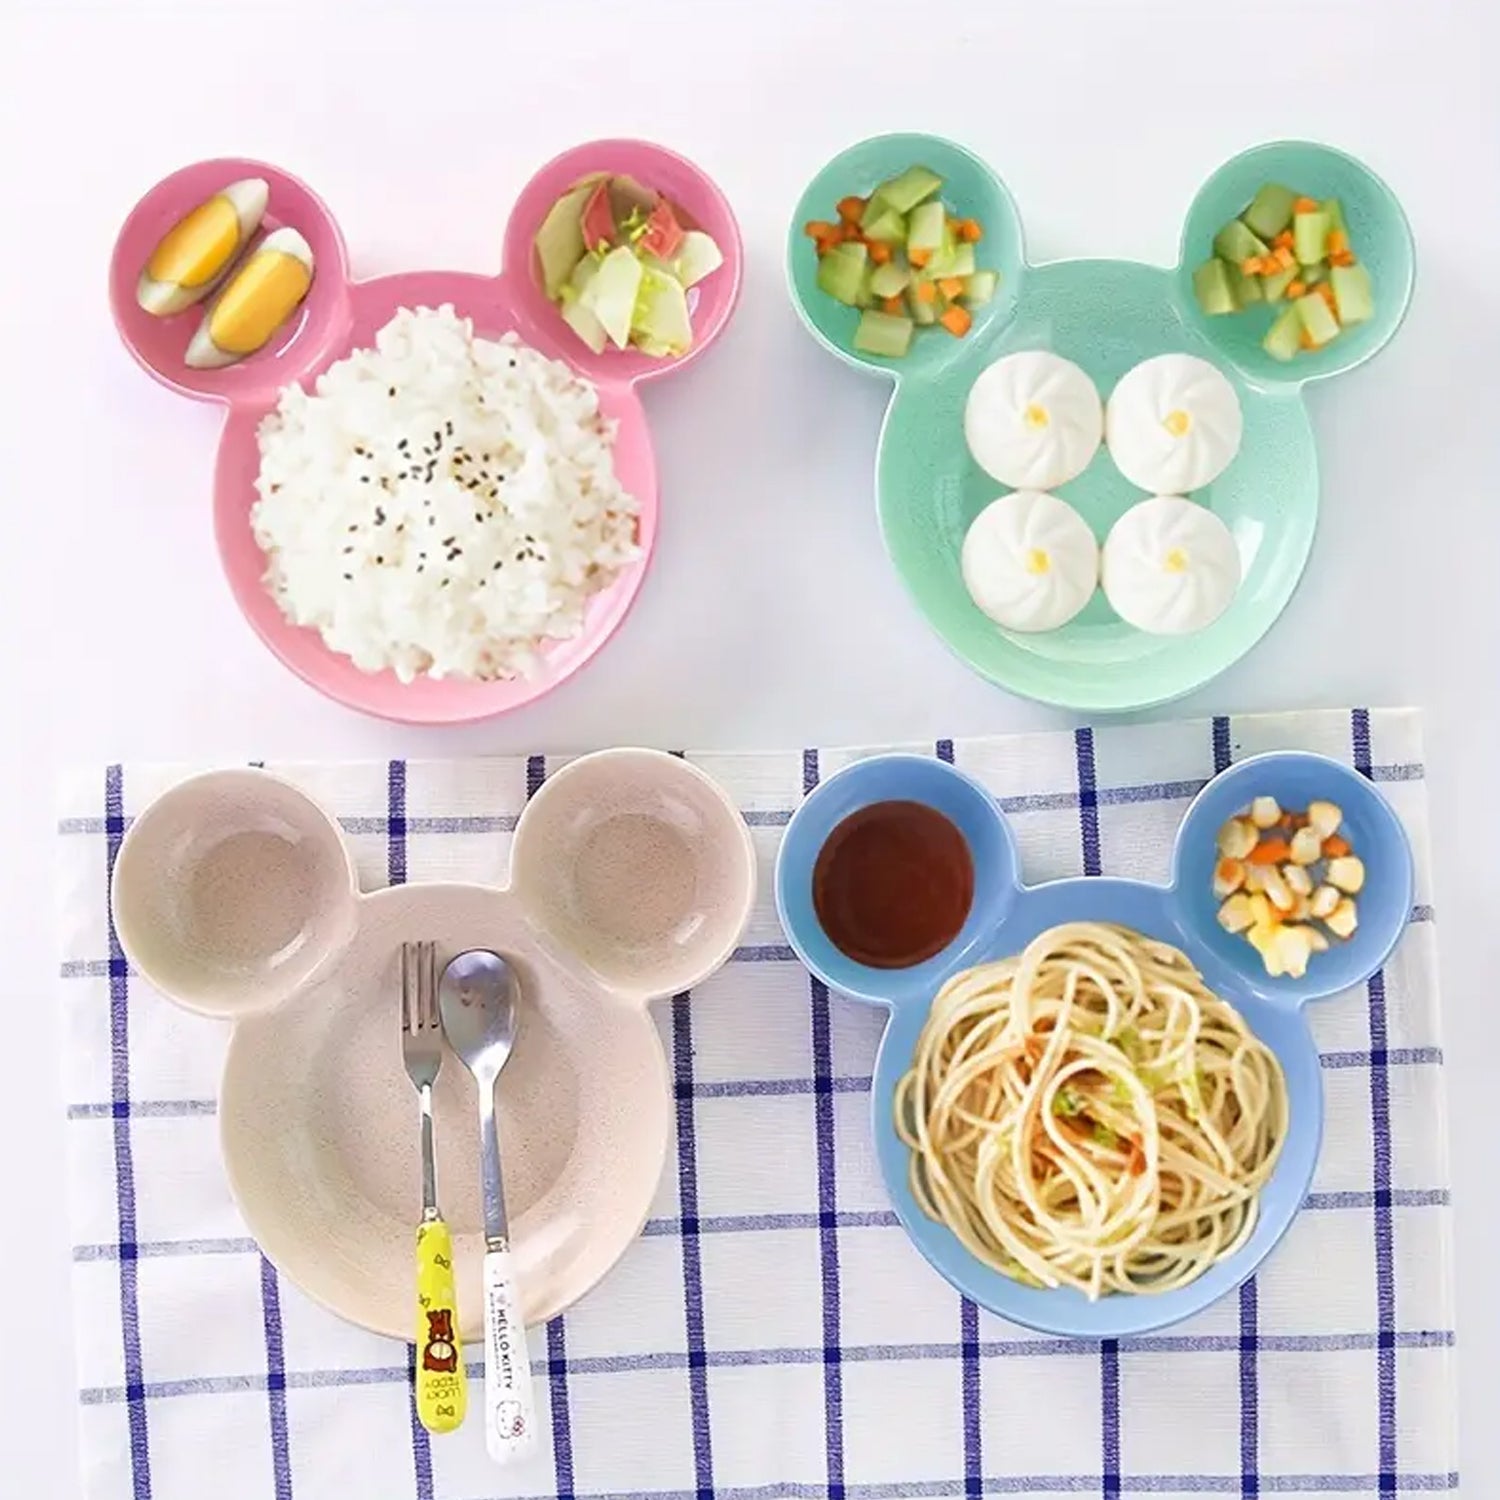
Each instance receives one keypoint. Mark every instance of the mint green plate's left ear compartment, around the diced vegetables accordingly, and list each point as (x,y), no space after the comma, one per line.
(970,190)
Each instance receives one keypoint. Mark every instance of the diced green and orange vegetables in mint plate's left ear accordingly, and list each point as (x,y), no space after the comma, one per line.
(904,260)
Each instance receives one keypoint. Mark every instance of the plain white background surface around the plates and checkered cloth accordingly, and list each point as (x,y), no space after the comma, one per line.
(772,616)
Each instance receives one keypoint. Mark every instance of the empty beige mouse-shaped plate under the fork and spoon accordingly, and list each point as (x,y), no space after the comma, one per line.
(632,878)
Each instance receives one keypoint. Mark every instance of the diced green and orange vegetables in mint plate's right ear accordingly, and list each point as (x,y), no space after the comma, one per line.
(1294,251)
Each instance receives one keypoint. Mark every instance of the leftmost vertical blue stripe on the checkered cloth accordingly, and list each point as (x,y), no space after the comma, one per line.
(124,1159)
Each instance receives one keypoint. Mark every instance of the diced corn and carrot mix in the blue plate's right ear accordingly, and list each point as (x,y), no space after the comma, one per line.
(1288,883)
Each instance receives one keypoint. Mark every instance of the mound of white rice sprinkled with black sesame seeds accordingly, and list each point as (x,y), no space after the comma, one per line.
(443,505)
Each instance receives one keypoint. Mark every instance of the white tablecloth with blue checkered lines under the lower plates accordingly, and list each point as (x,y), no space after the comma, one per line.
(772,1334)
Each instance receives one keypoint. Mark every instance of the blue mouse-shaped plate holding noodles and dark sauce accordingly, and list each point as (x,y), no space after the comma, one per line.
(1006,916)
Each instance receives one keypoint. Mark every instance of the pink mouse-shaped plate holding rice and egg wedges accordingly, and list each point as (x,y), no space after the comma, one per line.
(341,316)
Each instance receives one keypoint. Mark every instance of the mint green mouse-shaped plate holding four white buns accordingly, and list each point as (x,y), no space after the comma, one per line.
(1106,317)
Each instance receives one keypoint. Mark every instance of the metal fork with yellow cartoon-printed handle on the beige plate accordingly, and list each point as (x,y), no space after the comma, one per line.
(442,1385)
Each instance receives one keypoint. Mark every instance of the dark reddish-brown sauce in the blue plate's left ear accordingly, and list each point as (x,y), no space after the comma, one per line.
(893,884)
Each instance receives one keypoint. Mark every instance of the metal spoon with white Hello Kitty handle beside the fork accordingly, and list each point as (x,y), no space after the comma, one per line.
(478,1001)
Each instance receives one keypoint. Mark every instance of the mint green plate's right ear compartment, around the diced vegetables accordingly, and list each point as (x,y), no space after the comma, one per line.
(1379,236)
